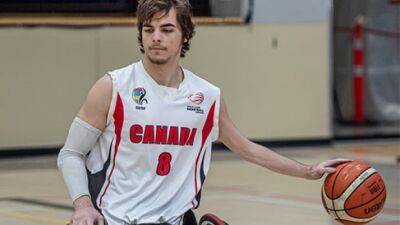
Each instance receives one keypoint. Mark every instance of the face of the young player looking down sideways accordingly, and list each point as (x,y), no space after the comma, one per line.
(162,38)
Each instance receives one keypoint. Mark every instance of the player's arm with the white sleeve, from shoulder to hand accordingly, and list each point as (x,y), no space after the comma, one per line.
(83,134)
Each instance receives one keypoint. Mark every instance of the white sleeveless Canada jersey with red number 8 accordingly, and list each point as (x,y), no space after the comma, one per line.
(150,163)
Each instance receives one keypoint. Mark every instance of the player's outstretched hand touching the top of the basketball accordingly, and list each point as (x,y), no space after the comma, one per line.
(318,170)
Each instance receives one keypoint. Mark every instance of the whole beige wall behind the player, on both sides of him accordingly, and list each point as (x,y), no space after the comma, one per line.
(272,92)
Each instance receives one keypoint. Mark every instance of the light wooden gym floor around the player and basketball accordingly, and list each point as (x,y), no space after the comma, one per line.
(32,190)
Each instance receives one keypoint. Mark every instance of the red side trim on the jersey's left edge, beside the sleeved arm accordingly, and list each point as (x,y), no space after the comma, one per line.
(118,122)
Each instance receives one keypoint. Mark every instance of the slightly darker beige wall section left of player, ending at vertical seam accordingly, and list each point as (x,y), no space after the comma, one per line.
(45,74)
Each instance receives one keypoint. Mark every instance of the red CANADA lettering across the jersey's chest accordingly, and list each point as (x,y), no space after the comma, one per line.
(162,135)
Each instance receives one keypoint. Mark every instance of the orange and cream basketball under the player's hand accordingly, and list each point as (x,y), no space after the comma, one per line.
(354,194)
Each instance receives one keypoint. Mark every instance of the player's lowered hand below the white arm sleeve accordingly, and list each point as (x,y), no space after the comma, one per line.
(85,213)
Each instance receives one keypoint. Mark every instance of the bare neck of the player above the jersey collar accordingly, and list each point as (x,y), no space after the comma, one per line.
(169,74)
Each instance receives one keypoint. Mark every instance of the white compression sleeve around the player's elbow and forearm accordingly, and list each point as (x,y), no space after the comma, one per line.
(71,160)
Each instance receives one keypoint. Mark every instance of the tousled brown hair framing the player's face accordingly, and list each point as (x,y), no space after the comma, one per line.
(148,8)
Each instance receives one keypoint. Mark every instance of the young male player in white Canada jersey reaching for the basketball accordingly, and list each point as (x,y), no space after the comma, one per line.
(140,147)
